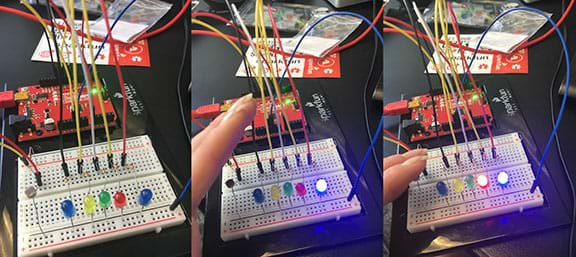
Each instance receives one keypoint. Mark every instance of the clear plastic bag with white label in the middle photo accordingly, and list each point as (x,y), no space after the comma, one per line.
(325,35)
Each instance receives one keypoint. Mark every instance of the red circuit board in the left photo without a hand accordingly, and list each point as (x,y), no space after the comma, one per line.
(38,104)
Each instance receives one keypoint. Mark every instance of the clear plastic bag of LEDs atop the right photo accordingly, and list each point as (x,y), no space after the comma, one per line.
(474,13)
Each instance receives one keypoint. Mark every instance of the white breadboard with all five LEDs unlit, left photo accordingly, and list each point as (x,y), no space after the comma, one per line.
(47,231)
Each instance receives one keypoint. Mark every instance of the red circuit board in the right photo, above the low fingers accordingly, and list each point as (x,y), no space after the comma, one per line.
(421,123)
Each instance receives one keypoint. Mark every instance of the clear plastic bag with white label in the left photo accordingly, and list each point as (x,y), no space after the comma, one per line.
(139,17)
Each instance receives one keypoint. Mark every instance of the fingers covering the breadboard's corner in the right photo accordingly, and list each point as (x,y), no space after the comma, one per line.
(400,170)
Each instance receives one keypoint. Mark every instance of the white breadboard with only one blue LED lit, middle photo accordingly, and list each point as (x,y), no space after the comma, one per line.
(242,217)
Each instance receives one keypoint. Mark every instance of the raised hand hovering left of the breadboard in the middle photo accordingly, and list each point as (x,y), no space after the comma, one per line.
(211,149)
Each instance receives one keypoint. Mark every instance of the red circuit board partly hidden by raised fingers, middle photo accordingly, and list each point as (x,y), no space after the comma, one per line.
(291,111)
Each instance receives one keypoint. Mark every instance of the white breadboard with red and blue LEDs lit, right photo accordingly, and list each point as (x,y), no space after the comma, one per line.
(427,209)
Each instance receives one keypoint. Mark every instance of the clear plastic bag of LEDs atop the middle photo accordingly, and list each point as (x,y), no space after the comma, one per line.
(288,17)
